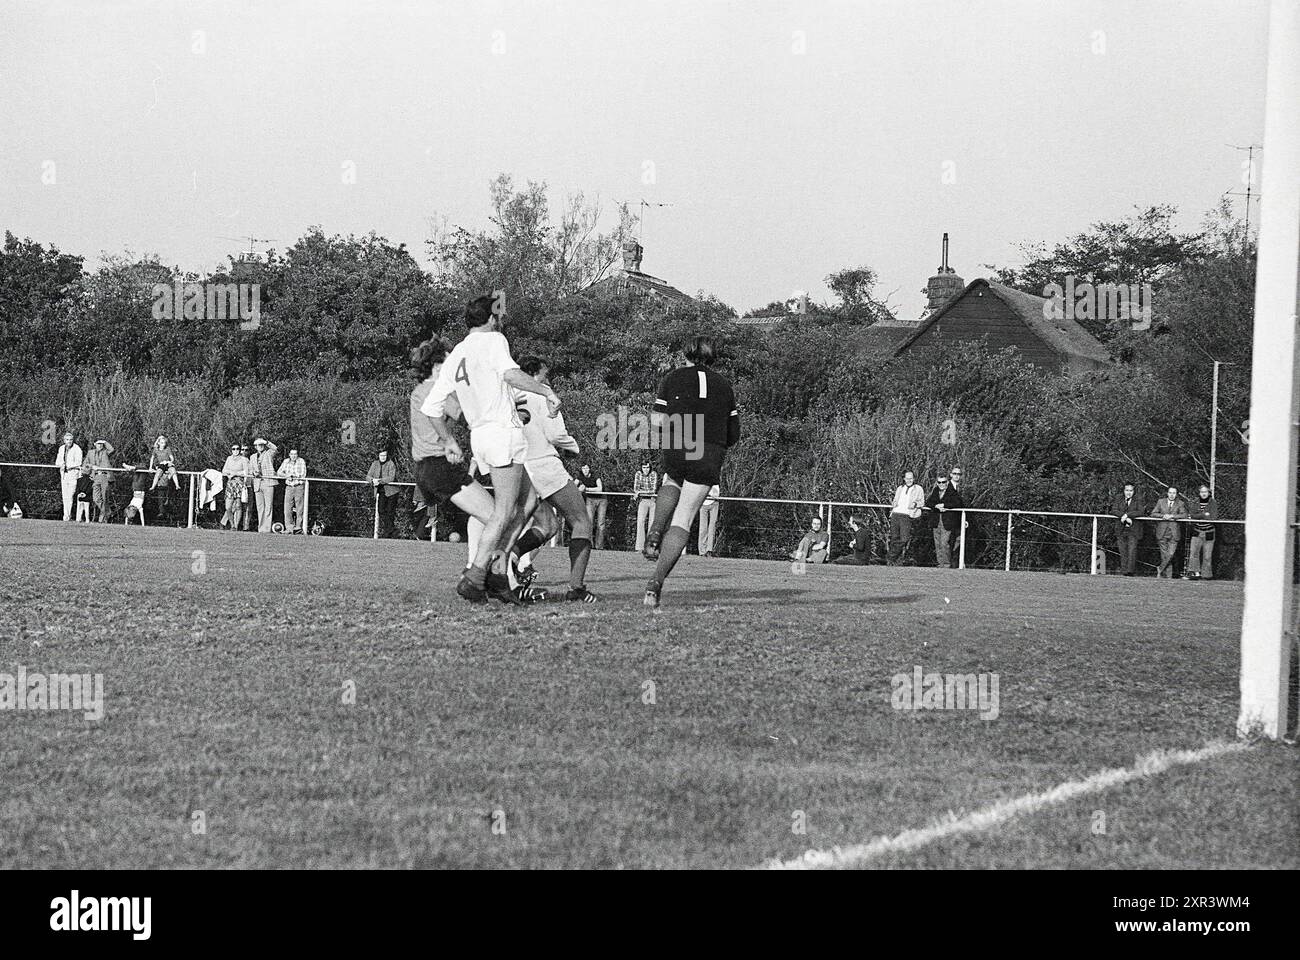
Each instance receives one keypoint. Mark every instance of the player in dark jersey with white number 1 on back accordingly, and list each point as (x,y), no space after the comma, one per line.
(696,418)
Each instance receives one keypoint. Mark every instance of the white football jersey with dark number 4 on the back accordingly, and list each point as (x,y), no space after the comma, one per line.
(474,371)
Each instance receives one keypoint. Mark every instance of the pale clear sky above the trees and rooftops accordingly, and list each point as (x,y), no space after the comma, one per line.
(790,140)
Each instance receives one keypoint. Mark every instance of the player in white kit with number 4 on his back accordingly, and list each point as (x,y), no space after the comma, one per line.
(482,373)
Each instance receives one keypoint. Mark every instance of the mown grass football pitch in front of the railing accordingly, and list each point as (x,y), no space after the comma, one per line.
(492,737)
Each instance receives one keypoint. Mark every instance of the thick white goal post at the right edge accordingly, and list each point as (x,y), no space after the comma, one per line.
(1271,488)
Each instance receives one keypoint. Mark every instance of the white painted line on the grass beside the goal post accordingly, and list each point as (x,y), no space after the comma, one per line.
(1004,811)
